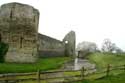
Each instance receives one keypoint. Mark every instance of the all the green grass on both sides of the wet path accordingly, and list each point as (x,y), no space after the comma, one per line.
(101,60)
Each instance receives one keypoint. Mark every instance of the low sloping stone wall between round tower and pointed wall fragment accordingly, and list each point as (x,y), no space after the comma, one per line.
(50,47)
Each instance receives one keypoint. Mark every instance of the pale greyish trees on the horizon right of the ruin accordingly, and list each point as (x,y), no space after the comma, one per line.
(107,47)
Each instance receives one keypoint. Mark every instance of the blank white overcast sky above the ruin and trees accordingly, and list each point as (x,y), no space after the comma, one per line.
(92,20)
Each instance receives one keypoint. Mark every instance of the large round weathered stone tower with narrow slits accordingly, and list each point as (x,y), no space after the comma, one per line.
(19,28)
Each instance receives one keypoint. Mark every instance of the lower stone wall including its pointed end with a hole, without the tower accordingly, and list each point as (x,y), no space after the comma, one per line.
(49,47)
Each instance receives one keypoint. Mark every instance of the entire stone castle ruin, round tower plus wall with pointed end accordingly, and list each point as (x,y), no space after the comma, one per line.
(19,29)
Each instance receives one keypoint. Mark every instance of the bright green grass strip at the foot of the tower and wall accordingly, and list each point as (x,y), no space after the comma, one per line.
(42,64)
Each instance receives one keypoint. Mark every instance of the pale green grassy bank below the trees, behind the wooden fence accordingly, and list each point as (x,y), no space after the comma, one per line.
(102,60)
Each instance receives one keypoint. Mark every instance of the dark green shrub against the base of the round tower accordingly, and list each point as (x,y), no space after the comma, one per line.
(3,51)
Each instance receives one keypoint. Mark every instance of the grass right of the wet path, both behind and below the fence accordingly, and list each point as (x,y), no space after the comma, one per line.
(102,60)
